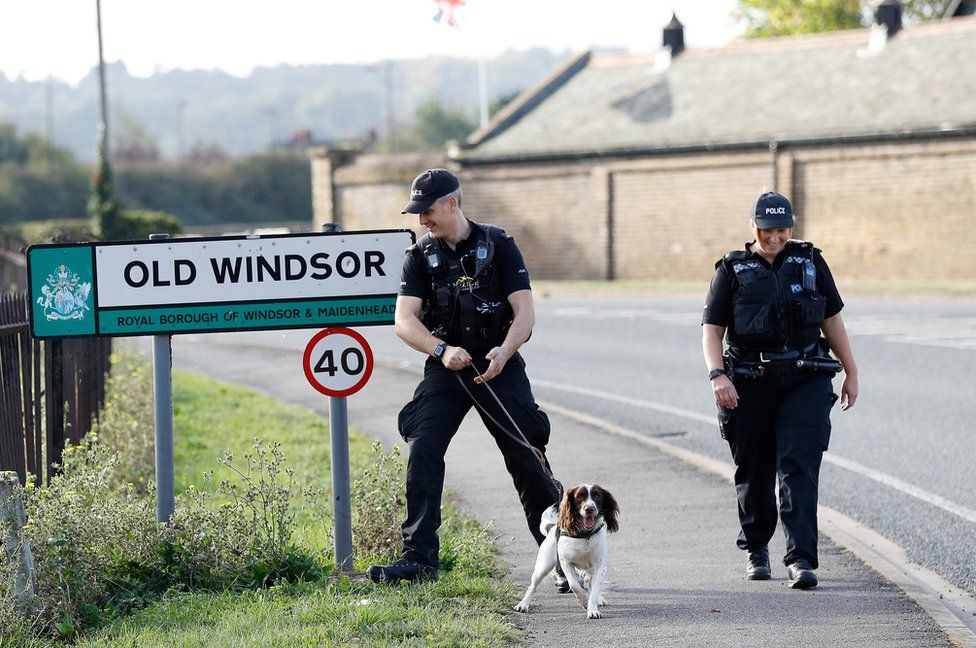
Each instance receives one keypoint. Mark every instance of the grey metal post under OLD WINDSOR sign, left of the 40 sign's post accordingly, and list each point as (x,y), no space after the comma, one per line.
(163,420)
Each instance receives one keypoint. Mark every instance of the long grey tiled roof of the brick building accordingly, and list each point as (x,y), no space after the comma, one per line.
(784,89)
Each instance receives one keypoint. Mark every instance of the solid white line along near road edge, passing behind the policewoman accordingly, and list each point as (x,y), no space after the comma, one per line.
(832,458)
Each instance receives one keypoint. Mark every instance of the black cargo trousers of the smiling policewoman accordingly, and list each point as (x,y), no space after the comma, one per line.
(779,431)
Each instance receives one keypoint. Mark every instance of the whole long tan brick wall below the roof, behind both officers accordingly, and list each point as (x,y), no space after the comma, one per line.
(889,211)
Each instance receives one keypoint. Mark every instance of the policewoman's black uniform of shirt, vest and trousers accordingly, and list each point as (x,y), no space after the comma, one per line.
(781,425)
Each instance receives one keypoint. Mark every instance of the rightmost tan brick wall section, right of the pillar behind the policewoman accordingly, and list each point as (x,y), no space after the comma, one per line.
(902,211)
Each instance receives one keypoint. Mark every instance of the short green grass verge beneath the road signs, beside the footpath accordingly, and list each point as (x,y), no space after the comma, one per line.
(467,606)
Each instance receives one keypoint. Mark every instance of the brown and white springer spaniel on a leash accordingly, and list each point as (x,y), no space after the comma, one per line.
(576,535)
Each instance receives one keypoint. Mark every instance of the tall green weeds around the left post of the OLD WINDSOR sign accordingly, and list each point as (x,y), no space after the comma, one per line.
(100,553)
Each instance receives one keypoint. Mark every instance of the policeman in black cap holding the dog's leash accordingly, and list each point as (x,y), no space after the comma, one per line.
(464,301)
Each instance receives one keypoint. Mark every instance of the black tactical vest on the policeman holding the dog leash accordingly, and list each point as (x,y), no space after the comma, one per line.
(466,305)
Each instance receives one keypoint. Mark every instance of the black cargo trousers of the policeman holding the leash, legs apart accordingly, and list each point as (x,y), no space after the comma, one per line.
(428,423)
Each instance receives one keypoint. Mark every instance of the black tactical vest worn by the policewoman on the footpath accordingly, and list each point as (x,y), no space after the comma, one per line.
(775,310)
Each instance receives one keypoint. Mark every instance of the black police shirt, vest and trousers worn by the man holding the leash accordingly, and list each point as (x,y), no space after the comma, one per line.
(476,316)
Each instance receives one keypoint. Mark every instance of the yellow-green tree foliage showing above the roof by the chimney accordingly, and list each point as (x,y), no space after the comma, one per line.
(765,18)
